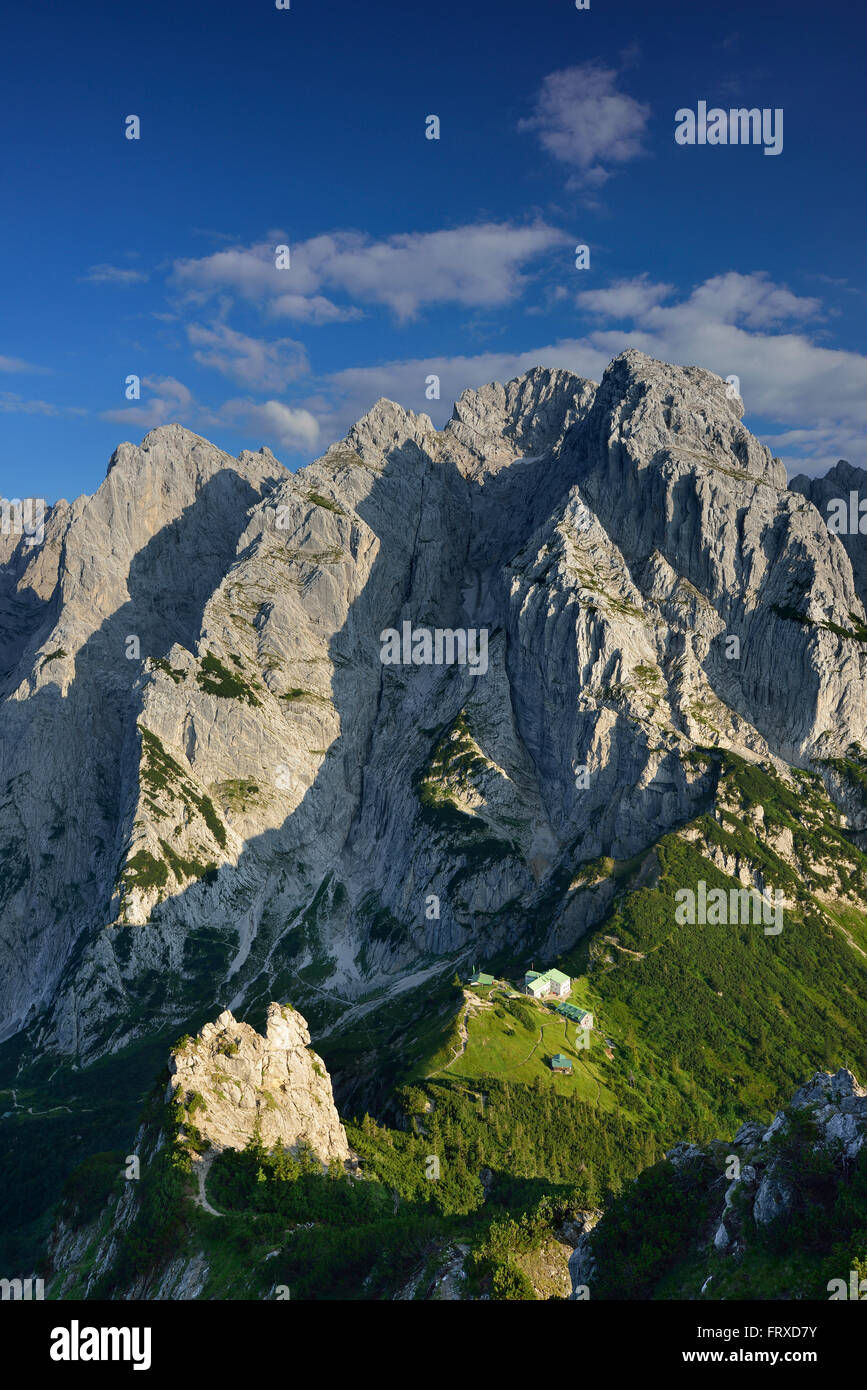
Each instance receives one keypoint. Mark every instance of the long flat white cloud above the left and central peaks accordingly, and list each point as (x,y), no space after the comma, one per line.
(479,266)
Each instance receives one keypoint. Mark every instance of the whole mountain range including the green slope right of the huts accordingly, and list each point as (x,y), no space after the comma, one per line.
(216,793)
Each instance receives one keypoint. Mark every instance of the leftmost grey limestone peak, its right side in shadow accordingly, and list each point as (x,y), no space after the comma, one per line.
(137,561)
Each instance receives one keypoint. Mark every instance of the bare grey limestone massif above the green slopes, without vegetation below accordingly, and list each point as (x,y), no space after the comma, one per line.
(210,780)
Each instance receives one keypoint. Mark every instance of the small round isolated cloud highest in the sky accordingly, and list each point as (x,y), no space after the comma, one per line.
(586,123)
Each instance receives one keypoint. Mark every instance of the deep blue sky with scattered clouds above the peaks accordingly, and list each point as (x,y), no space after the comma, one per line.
(412,256)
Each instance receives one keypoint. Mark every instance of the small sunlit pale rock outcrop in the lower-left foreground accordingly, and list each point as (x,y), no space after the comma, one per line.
(273,1082)
